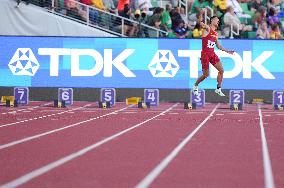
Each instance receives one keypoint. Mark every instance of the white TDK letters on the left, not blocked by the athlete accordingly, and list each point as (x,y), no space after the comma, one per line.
(104,62)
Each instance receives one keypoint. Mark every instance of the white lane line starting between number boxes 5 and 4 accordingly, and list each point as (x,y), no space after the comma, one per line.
(55,130)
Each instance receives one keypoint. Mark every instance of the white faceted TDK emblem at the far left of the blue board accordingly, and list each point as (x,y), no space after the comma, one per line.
(24,63)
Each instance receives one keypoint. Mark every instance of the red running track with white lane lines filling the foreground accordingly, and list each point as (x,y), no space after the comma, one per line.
(225,152)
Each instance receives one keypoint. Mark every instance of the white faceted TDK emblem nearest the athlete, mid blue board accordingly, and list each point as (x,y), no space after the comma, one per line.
(163,64)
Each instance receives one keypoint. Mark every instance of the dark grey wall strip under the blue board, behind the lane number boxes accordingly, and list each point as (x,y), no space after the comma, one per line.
(166,95)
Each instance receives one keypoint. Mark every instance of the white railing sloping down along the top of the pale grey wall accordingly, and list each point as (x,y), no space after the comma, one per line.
(117,24)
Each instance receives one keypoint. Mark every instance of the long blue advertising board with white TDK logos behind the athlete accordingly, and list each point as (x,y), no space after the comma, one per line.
(136,63)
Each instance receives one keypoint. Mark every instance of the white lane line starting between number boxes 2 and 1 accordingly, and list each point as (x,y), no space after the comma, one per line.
(268,175)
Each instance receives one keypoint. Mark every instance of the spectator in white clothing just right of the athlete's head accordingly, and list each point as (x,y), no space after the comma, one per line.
(230,18)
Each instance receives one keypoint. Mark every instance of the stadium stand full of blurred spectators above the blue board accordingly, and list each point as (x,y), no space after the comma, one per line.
(173,18)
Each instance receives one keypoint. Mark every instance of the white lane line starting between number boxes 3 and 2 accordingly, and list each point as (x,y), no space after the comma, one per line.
(166,161)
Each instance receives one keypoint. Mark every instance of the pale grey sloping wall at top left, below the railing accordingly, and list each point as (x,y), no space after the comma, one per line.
(22,21)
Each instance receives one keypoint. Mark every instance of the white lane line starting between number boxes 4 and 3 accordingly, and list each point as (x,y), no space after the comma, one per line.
(40,171)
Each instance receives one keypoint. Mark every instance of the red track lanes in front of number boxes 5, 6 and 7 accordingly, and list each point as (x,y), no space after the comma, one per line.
(47,119)
